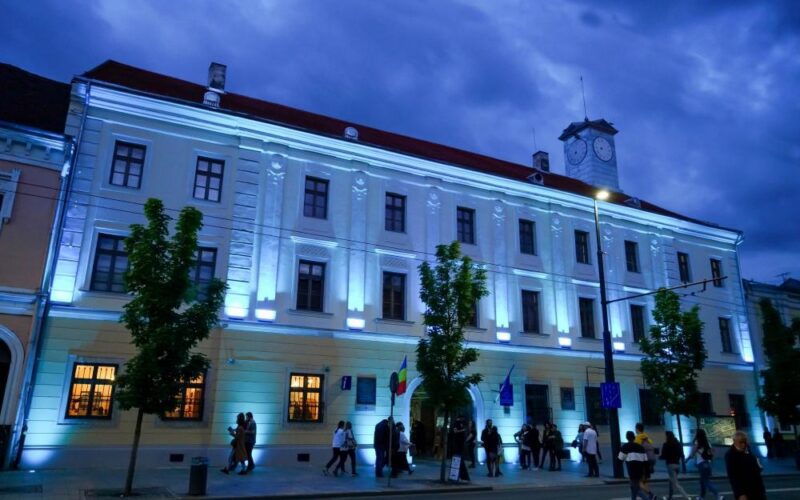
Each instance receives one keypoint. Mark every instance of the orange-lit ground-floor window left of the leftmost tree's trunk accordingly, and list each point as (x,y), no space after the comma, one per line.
(91,391)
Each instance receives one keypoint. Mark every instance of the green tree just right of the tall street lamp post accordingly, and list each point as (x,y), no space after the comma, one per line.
(674,354)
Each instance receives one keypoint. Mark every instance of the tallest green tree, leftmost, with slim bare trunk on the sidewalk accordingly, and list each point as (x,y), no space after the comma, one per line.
(166,316)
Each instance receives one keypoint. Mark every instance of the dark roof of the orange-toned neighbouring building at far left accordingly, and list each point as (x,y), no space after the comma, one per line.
(32,100)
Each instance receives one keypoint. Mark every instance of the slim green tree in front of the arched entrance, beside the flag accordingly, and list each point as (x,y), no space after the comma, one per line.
(450,291)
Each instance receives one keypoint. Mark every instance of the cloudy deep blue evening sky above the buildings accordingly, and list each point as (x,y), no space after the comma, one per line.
(706,95)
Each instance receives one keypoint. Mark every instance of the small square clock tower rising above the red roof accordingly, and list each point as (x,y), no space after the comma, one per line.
(590,154)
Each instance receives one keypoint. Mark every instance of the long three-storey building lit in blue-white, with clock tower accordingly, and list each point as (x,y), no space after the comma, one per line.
(318,226)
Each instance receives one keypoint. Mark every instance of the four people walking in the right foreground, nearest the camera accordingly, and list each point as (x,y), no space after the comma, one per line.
(742,466)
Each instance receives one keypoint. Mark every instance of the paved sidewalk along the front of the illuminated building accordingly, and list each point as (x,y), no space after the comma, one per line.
(305,481)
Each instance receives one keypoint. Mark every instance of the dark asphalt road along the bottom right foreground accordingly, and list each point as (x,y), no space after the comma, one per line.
(781,488)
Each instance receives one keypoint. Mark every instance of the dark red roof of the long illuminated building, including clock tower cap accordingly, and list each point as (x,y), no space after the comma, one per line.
(167,87)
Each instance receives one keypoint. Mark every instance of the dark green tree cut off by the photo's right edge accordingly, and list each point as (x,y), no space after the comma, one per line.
(781,390)
